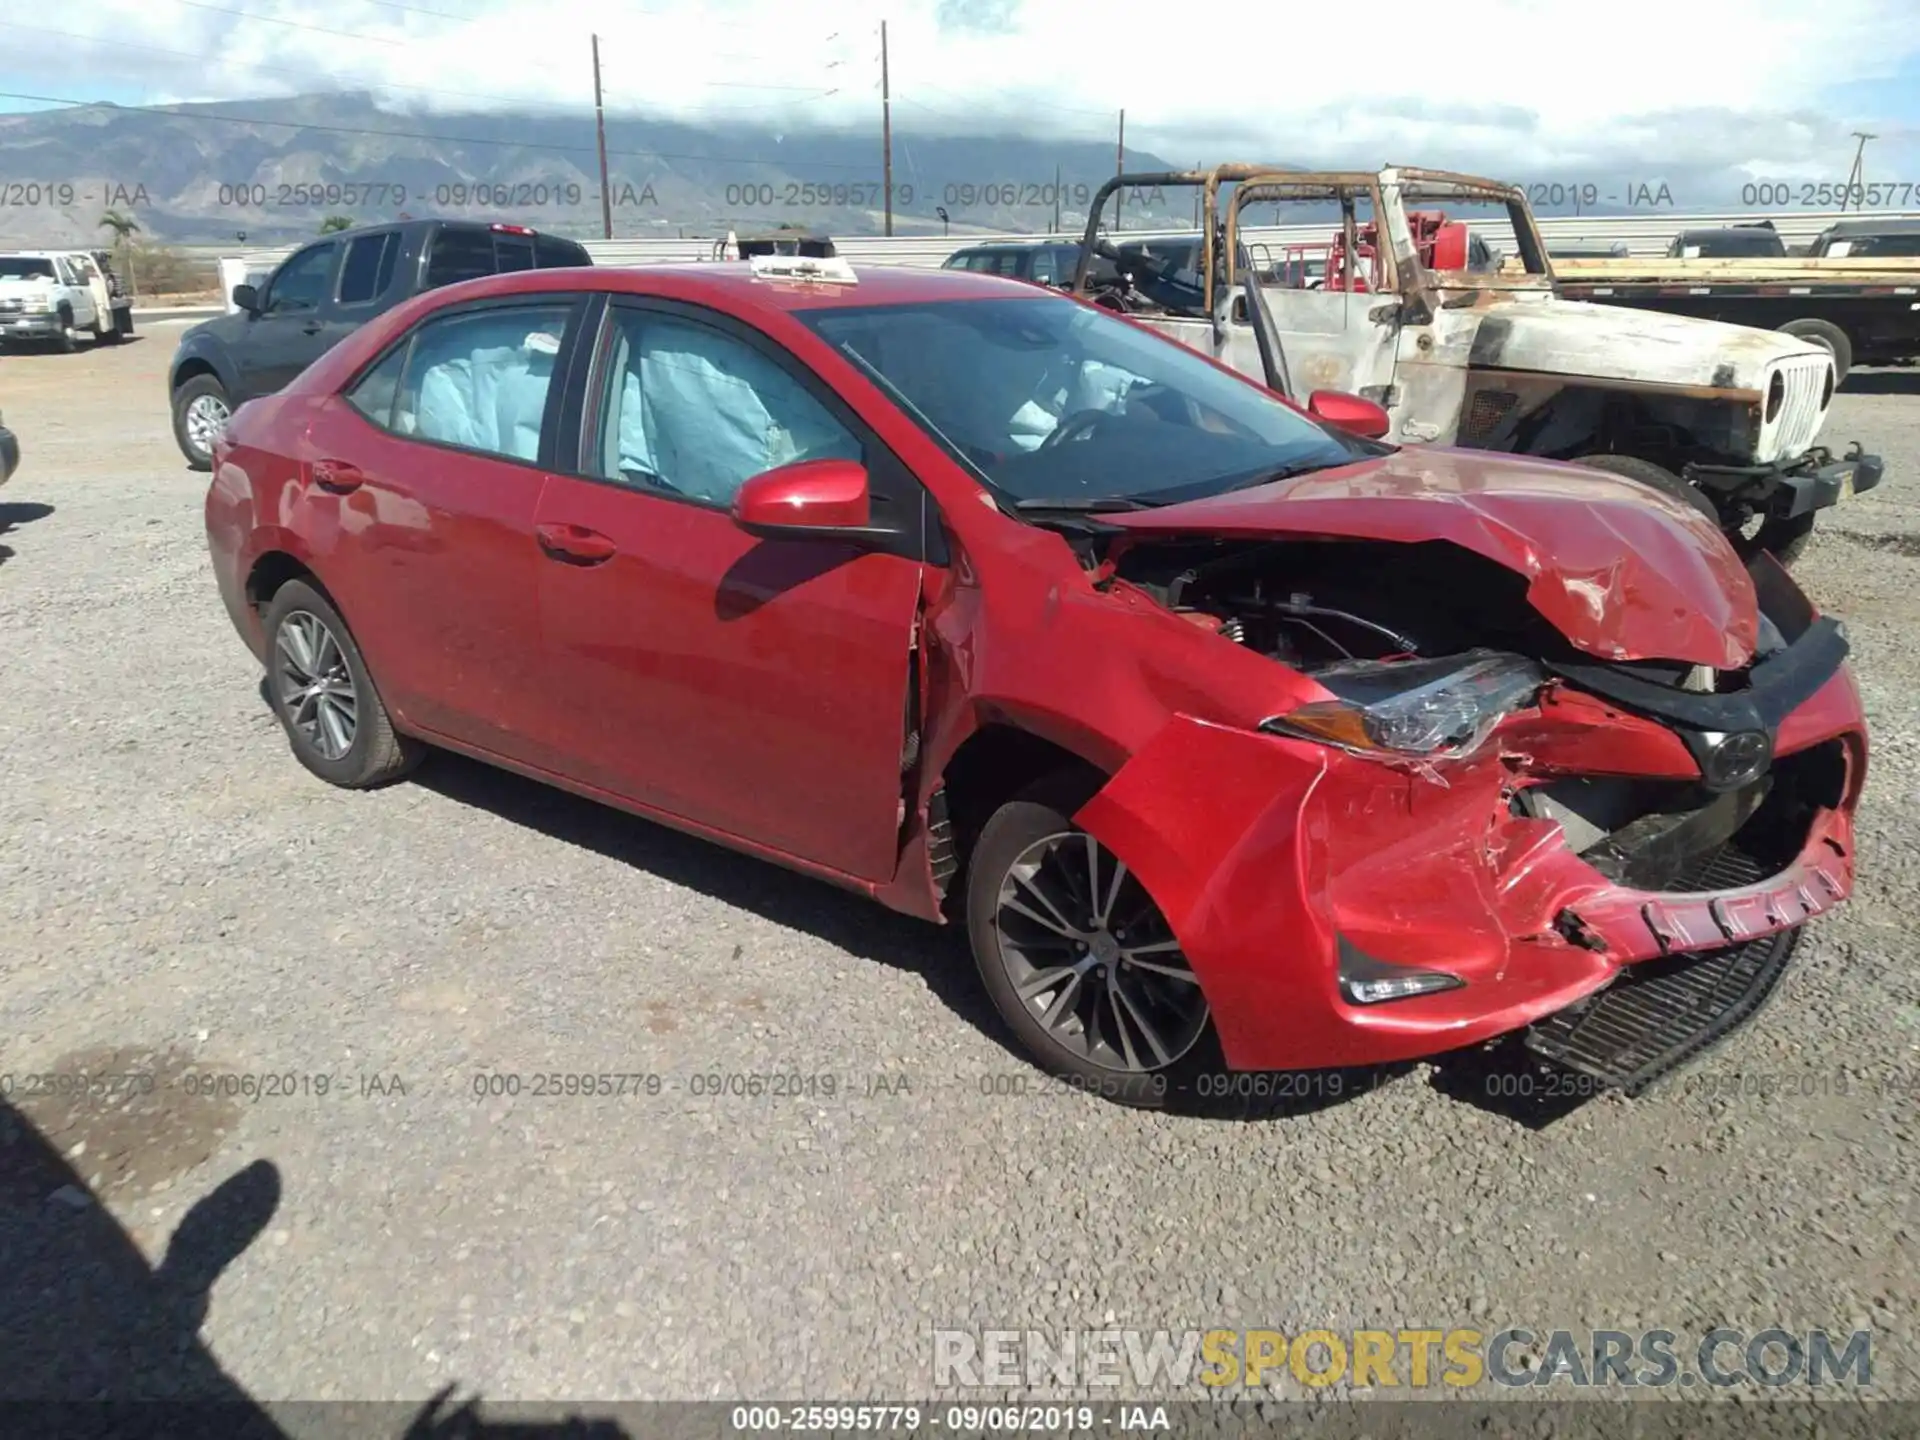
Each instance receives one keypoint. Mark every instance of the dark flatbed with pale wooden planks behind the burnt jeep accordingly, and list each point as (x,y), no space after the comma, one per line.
(1865,312)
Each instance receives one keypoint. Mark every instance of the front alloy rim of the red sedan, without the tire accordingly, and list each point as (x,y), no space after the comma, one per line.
(1092,957)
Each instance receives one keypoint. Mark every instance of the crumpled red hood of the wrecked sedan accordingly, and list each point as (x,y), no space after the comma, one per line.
(1620,569)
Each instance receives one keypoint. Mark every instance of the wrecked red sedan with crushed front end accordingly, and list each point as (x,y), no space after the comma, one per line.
(1236,738)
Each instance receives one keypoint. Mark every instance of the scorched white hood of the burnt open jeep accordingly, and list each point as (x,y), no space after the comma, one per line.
(1614,343)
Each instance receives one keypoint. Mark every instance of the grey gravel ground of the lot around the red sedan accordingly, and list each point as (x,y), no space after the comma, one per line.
(180,898)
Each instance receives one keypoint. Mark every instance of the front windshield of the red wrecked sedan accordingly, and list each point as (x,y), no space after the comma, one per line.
(1055,402)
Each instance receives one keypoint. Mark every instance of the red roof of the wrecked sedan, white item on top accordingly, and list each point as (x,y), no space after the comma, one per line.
(734,285)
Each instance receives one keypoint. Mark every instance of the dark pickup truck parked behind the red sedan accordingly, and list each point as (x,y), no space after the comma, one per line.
(322,295)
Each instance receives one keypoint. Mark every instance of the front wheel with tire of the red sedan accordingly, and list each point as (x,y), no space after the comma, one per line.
(1032,852)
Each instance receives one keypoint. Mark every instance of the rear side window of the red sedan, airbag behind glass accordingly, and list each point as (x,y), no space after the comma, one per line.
(475,379)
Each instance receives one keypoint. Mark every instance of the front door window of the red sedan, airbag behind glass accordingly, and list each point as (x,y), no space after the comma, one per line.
(694,412)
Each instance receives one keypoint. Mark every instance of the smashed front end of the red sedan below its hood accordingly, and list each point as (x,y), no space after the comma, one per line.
(1481,827)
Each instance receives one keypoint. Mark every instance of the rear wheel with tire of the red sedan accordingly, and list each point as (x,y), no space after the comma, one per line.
(324,696)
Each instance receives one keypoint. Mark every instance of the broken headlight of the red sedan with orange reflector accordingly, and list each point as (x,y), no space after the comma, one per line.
(1414,709)
